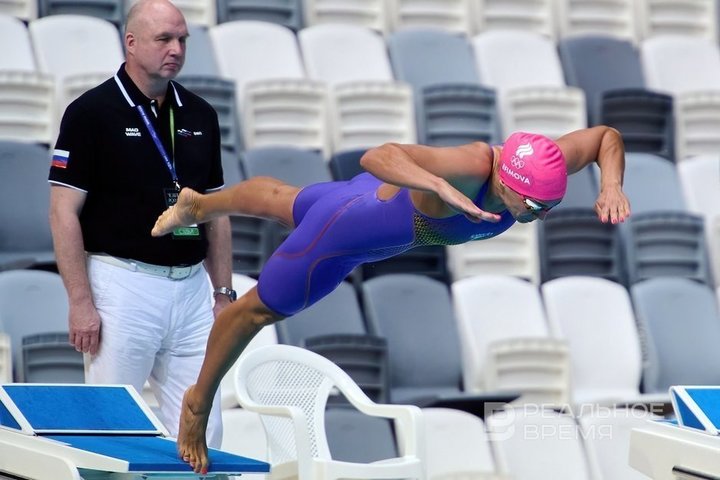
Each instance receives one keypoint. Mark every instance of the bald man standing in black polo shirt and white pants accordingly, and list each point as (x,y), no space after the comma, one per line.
(140,307)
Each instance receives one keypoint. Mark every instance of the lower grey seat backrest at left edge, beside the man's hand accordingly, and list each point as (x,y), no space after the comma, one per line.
(21,313)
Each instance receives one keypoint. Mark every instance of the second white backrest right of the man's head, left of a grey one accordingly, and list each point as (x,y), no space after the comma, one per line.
(332,54)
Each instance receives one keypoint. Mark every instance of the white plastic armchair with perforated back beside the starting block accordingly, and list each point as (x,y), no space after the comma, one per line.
(289,387)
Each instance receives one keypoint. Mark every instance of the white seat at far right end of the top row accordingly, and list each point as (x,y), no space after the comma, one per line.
(697,18)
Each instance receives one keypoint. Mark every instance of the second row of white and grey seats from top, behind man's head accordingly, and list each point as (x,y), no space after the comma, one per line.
(418,85)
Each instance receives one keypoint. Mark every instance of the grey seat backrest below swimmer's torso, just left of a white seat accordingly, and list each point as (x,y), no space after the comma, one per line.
(414,313)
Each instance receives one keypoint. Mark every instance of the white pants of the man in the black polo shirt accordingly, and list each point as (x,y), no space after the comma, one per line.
(153,329)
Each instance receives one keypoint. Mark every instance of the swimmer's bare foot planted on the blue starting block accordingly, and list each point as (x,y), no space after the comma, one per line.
(191,444)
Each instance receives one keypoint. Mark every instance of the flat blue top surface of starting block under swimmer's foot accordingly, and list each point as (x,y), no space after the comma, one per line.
(155,454)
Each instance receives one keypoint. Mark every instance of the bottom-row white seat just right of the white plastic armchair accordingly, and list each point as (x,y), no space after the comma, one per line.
(457,446)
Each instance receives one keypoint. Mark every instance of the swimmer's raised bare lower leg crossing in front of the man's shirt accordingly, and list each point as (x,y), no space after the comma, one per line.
(264,197)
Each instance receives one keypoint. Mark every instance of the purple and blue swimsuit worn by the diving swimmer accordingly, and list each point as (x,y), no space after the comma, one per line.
(340,225)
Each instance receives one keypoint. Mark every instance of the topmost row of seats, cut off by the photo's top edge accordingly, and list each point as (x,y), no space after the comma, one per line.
(631,19)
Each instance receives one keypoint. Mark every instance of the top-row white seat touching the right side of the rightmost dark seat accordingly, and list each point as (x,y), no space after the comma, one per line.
(368,13)
